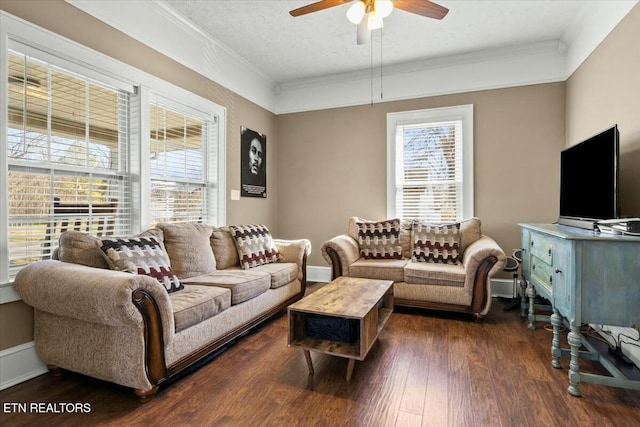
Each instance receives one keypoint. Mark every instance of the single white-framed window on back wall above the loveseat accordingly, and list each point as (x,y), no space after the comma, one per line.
(430,164)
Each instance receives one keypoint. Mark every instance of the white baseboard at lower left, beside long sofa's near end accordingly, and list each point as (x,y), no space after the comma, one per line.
(19,364)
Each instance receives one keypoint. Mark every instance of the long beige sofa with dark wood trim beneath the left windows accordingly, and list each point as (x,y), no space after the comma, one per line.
(127,329)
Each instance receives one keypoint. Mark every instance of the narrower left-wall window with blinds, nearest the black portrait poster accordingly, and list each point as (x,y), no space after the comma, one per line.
(182,175)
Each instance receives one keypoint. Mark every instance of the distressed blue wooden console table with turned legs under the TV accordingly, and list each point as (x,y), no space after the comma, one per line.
(589,277)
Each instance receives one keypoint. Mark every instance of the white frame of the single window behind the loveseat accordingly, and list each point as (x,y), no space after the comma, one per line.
(433,115)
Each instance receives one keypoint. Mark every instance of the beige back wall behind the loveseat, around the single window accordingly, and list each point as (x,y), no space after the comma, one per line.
(336,162)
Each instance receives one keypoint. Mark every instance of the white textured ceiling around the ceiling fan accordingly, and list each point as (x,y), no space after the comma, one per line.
(287,49)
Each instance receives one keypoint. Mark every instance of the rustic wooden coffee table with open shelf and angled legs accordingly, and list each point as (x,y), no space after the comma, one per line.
(368,301)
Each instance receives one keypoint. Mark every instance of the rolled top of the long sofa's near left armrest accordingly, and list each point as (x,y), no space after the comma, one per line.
(91,294)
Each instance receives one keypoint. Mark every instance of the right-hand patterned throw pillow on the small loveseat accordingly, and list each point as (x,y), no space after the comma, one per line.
(436,243)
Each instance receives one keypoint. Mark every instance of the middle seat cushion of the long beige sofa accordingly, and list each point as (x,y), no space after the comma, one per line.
(243,284)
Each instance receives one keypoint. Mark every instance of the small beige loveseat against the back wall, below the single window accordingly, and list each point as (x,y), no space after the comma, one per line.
(464,287)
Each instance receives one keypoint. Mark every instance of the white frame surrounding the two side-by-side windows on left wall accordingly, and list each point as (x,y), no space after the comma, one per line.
(58,48)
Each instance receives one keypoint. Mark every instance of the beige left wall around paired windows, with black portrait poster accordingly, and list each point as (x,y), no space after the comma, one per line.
(70,22)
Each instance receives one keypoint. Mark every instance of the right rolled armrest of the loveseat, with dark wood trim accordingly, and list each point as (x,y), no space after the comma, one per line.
(482,260)
